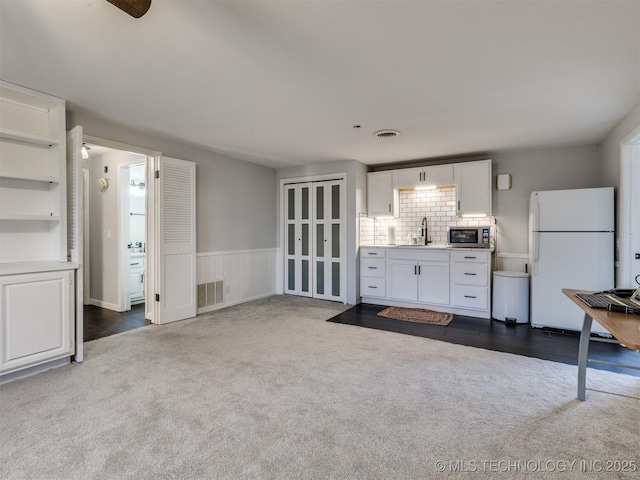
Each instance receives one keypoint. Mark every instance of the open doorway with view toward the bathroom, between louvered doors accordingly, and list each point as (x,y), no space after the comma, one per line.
(117,233)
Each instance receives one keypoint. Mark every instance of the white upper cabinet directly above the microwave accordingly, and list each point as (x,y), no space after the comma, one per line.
(473,187)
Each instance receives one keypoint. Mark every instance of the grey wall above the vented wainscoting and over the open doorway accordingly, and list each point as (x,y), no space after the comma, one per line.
(234,204)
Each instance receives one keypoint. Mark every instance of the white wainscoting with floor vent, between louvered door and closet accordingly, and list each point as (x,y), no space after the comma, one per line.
(231,277)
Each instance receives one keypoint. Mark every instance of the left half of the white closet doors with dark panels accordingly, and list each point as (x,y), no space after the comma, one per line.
(298,239)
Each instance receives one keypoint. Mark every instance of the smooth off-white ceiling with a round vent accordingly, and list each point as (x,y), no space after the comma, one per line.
(283,83)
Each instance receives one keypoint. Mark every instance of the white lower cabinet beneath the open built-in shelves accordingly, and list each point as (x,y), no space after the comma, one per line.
(36,319)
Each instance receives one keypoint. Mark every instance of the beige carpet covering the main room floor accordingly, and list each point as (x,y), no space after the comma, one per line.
(269,390)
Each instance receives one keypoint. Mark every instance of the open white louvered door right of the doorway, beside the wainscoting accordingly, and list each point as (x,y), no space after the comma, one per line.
(176,274)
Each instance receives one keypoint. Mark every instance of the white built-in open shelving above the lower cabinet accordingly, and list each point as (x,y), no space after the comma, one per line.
(32,176)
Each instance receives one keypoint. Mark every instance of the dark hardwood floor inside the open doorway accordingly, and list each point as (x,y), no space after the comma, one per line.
(100,322)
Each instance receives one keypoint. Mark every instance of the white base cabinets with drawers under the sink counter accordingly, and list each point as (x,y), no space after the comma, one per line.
(447,280)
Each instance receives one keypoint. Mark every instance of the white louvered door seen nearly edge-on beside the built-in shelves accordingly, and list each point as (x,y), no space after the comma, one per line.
(75,228)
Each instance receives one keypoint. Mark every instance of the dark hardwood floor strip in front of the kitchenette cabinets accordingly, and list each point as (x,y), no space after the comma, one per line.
(519,339)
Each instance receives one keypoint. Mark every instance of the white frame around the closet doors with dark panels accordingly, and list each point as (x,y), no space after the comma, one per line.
(280,254)
